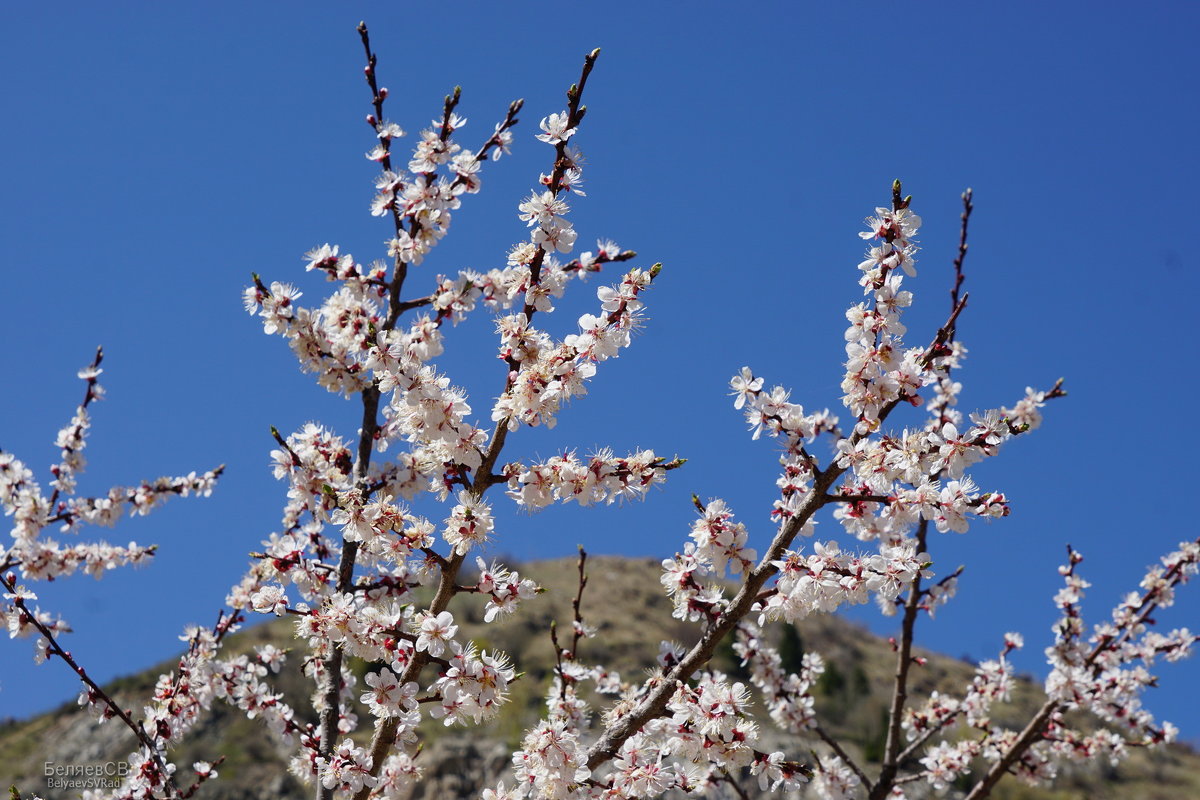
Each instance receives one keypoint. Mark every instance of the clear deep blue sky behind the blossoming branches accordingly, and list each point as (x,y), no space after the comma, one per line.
(155,155)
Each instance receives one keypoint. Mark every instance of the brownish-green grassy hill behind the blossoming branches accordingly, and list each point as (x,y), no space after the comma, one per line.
(627,605)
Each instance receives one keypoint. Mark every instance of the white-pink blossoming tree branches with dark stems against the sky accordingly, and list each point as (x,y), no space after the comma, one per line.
(365,579)
